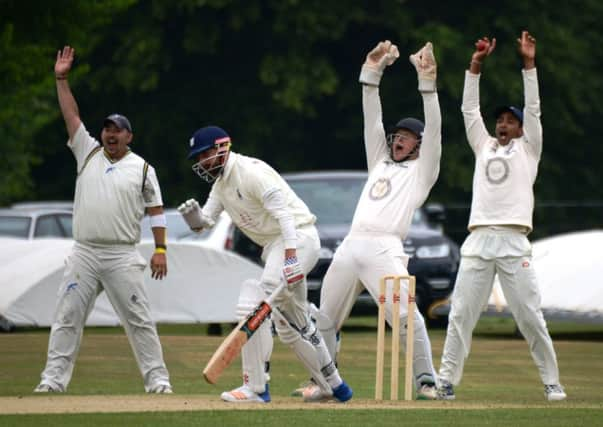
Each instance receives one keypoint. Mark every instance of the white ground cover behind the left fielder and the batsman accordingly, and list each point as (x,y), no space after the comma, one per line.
(202,284)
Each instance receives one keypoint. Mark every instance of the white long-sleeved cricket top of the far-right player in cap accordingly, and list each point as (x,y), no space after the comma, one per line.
(504,175)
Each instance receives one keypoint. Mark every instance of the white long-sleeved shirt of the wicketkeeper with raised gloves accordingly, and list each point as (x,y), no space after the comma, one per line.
(394,190)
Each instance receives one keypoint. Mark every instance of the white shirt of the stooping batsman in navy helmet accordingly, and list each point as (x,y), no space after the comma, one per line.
(243,189)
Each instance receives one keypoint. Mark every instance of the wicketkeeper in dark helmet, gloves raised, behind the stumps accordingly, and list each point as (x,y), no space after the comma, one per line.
(403,166)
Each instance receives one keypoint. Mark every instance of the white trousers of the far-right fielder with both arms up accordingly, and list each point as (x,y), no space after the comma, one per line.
(507,252)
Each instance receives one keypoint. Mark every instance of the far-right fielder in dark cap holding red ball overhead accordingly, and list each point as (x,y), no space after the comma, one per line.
(501,217)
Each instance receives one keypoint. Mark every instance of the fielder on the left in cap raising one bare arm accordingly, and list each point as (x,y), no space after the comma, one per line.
(113,189)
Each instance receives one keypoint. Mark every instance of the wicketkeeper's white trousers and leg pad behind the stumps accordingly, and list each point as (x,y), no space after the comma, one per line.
(360,262)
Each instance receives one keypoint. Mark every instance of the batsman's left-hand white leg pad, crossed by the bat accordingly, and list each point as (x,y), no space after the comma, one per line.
(256,353)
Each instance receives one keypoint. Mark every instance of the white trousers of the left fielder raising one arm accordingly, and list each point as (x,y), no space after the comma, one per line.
(118,270)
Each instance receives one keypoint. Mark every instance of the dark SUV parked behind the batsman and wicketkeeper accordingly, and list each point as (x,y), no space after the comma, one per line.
(332,196)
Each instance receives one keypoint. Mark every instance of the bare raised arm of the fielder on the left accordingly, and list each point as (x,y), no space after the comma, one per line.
(69,108)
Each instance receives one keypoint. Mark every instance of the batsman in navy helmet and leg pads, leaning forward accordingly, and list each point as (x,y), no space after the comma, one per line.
(265,208)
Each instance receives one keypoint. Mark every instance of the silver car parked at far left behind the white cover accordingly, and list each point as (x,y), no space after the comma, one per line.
(36,222)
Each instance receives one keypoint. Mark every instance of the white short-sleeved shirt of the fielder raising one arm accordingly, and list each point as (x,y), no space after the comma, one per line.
(109,199)
